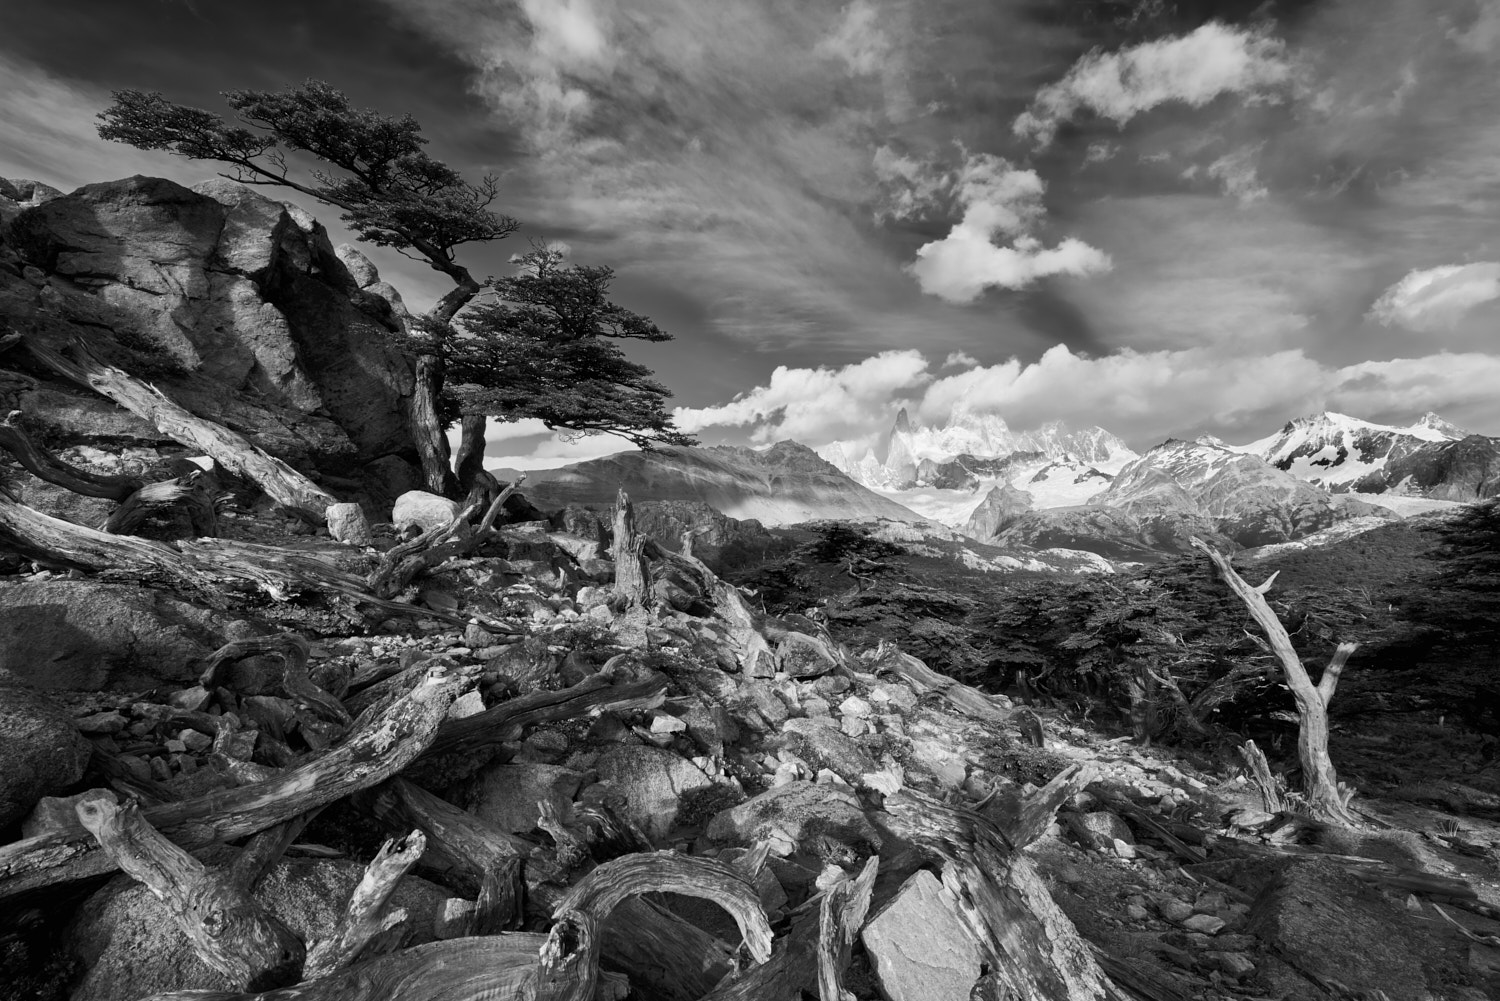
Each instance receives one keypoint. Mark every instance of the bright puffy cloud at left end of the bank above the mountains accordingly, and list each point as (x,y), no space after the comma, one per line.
(817,404)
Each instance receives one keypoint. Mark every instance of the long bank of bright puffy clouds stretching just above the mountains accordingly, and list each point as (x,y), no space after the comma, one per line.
(1141,395)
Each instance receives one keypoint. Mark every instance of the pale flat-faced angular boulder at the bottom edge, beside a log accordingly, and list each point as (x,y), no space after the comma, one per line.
(919,946)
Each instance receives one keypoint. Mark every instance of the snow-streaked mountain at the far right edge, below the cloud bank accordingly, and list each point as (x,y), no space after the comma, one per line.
(1430,458)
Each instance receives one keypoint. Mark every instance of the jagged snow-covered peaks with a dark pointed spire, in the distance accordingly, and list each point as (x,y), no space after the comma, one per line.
(964,452)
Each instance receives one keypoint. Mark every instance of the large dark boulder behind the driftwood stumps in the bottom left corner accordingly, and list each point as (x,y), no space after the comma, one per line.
(130,945)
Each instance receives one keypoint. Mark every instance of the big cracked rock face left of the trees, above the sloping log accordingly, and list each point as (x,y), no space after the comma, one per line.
(238,290)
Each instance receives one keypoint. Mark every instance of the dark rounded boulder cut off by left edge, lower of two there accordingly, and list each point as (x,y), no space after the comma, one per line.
(41,751)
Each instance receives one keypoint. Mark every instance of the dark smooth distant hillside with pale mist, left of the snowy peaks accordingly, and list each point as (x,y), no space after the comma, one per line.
(782,485)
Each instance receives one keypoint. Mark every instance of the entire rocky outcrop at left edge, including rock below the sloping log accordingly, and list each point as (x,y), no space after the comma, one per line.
(236,305)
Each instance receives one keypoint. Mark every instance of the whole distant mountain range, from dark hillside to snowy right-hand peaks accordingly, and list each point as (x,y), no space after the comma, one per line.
(1061,491)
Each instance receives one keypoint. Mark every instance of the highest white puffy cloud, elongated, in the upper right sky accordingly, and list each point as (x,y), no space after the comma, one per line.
(1193,70)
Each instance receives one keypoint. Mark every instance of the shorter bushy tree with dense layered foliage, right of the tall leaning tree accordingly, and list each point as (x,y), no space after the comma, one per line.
(544,349)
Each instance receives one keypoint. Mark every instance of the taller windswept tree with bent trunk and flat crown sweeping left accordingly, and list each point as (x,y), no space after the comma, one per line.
(373,169)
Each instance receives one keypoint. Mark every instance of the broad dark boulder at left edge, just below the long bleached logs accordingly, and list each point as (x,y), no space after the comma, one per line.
(94,637)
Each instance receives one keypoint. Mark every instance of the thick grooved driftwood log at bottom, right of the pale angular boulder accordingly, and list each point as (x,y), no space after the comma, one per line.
(1031,948)
